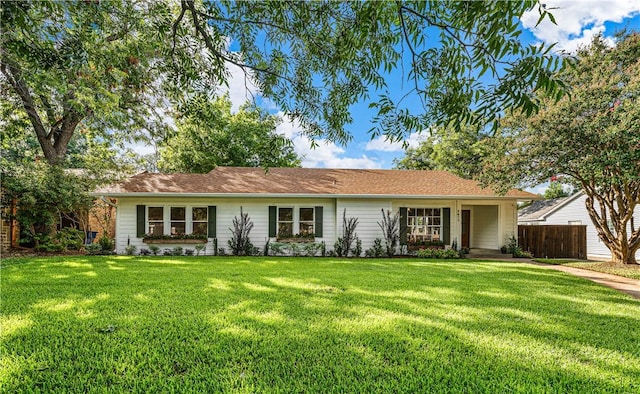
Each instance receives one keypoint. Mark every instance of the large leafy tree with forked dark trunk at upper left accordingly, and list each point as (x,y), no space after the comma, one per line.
(99,65)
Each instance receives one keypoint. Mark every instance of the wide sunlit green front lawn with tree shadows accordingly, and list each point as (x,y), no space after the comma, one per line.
(187,324)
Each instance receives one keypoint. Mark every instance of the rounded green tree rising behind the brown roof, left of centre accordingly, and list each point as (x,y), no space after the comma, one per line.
(209,135)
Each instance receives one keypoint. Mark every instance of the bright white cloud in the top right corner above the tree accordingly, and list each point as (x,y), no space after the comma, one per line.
(578,21)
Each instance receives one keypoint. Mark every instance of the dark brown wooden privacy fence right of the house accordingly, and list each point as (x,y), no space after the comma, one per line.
(554,241)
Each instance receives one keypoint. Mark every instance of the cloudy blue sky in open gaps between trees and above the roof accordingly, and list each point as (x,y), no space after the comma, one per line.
(577,22)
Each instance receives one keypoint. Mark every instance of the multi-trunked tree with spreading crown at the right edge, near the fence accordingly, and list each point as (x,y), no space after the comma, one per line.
(592,137)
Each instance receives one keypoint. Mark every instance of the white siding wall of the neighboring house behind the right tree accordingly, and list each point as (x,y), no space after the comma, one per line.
(576,210)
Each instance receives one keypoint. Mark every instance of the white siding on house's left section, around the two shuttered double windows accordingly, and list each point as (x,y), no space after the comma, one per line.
(227,209)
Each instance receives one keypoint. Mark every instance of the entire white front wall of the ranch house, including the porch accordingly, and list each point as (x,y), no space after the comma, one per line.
(492,222)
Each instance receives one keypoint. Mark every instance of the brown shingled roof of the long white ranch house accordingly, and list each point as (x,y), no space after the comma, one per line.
(307,181)
